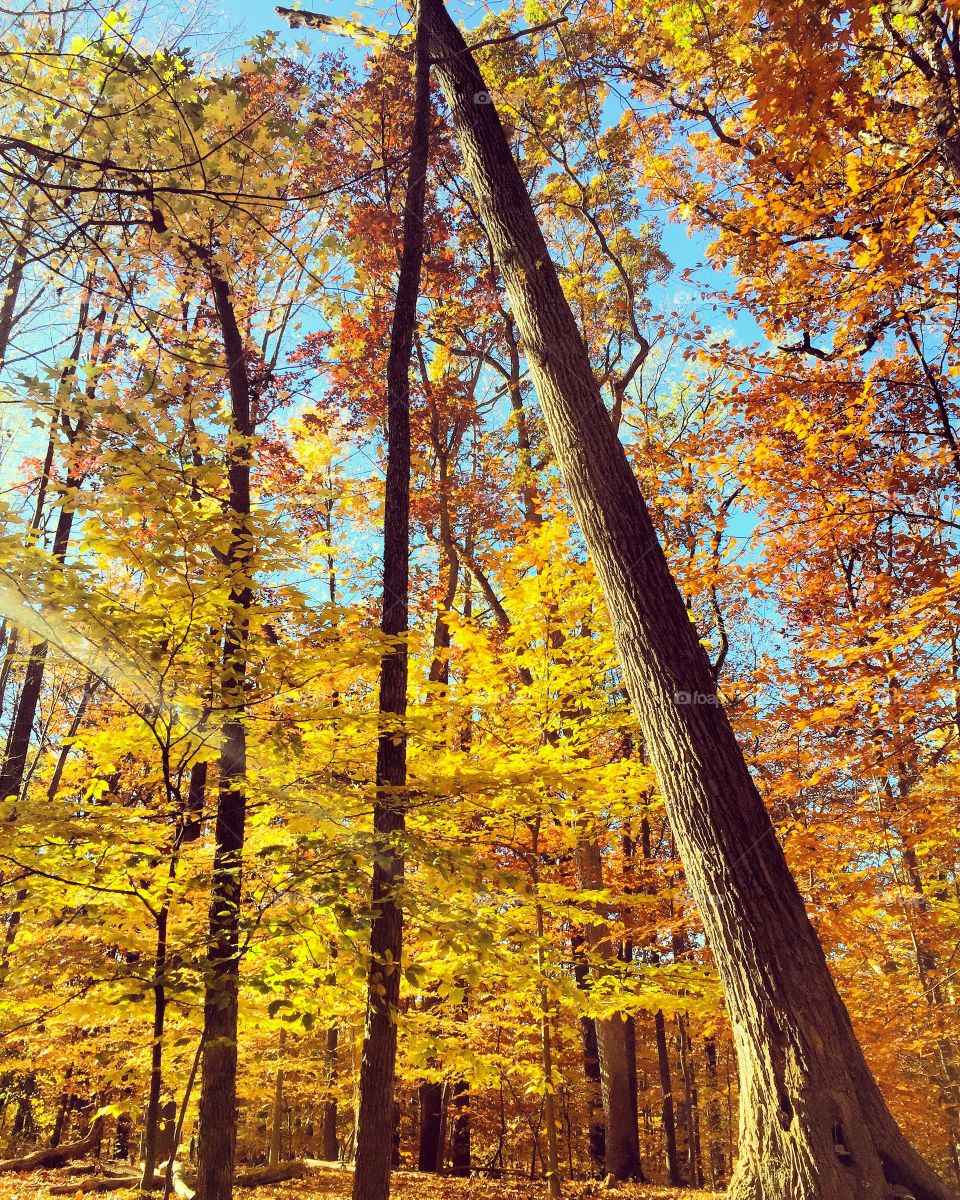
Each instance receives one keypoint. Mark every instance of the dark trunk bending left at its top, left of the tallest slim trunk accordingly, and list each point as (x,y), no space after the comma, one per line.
(218,1106)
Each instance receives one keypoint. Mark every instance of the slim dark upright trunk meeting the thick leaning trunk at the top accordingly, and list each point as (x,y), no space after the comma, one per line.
(379,1064)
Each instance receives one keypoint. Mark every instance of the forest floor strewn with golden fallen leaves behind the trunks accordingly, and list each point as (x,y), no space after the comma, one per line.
(329,1183)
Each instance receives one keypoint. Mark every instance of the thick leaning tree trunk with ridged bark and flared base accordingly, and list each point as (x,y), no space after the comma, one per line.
(813,1123)
